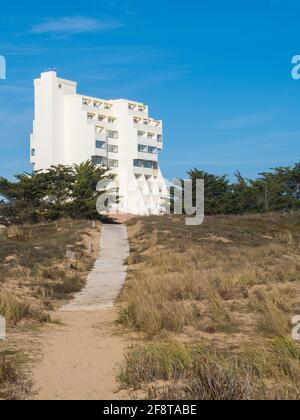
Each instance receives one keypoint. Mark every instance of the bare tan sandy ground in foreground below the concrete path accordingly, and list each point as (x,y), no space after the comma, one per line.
(80,357)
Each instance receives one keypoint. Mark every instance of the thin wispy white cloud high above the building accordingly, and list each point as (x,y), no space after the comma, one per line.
(74,24)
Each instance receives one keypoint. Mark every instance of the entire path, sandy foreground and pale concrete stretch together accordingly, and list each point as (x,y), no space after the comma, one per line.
(80,355)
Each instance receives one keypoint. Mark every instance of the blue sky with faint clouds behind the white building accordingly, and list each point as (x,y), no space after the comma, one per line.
(217,72)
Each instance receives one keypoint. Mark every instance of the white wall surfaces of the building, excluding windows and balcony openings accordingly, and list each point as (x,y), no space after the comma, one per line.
(62,134)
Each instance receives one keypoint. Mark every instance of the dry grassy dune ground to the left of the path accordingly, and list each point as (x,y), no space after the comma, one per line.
(36,277)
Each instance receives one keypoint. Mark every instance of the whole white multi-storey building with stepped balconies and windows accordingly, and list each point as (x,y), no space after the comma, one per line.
(71,128)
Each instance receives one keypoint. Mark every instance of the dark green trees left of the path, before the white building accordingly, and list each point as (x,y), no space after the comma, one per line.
(61,191)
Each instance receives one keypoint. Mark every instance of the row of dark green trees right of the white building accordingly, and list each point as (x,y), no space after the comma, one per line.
(276,190)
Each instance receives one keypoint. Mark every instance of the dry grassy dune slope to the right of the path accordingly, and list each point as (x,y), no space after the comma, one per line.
(212,306)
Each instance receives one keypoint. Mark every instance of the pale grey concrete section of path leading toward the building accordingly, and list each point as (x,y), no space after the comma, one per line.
(109,273)
